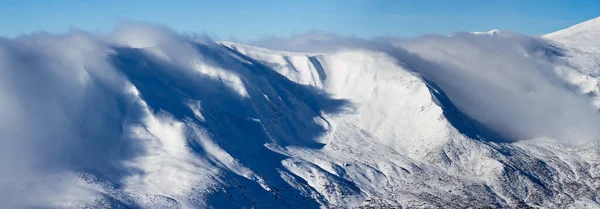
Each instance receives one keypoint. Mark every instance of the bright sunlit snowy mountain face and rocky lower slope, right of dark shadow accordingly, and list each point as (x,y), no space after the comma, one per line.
(399,132)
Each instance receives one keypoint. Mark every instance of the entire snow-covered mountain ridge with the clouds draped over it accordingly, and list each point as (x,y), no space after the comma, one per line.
(147,118)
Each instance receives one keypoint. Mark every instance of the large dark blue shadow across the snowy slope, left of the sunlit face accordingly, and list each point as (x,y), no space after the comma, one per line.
(285,118)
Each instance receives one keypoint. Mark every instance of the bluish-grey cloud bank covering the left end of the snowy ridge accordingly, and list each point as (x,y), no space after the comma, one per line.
(66,111)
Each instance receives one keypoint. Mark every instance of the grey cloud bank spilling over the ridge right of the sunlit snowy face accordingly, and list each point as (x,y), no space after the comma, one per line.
(507,81)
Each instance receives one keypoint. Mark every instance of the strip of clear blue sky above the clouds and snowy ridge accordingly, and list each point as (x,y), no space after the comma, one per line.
(226,19)
